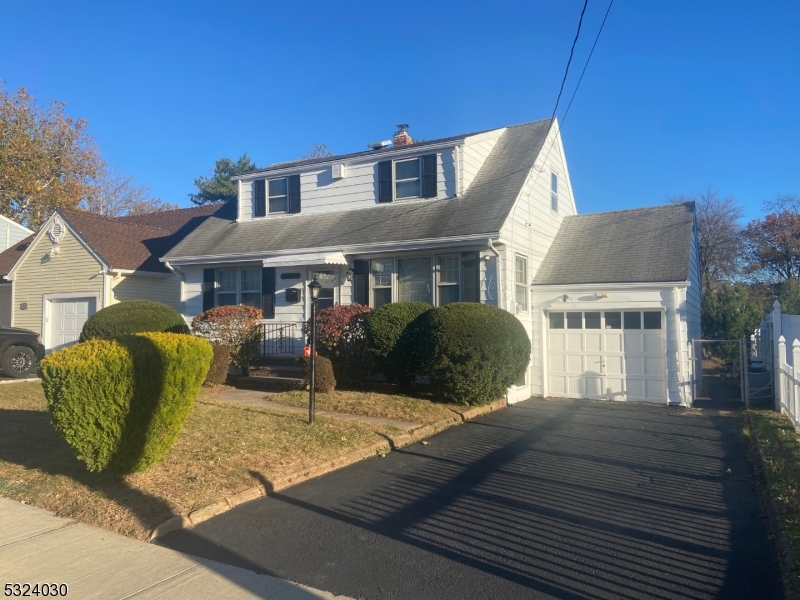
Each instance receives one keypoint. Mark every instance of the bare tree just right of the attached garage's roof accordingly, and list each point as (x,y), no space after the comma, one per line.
(719,237)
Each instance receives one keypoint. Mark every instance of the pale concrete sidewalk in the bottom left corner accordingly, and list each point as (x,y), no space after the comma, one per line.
(37,547)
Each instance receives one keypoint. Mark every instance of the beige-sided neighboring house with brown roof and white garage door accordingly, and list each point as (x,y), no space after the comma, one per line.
(80,262)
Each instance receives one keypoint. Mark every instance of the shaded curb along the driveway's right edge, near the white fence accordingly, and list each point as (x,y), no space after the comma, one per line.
(789,579)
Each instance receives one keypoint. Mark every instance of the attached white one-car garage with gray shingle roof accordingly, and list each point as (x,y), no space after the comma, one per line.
(616,302)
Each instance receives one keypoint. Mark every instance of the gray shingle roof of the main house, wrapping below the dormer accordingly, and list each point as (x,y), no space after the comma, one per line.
(482,209)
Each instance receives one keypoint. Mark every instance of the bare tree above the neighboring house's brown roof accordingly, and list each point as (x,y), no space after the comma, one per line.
(118,195)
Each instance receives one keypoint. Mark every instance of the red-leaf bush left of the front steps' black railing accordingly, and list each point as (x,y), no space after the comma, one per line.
(234,327)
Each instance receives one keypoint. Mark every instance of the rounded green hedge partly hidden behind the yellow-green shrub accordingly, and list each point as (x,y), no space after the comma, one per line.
(132,316)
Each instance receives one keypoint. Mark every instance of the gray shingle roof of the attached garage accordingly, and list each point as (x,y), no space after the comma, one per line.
(626,246)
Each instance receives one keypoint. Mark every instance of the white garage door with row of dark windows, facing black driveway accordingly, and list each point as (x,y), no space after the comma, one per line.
(615,355)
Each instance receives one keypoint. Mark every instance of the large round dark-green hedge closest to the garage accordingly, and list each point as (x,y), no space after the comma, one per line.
(472,353)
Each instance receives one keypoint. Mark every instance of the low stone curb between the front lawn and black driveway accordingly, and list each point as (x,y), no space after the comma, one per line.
(281,483)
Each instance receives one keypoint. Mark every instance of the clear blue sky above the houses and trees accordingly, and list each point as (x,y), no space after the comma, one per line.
(679,95)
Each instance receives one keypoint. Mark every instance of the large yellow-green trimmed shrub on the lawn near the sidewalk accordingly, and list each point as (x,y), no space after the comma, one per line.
(122,403)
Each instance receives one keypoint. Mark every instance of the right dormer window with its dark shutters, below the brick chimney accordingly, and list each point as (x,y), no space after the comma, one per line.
(408,178)
